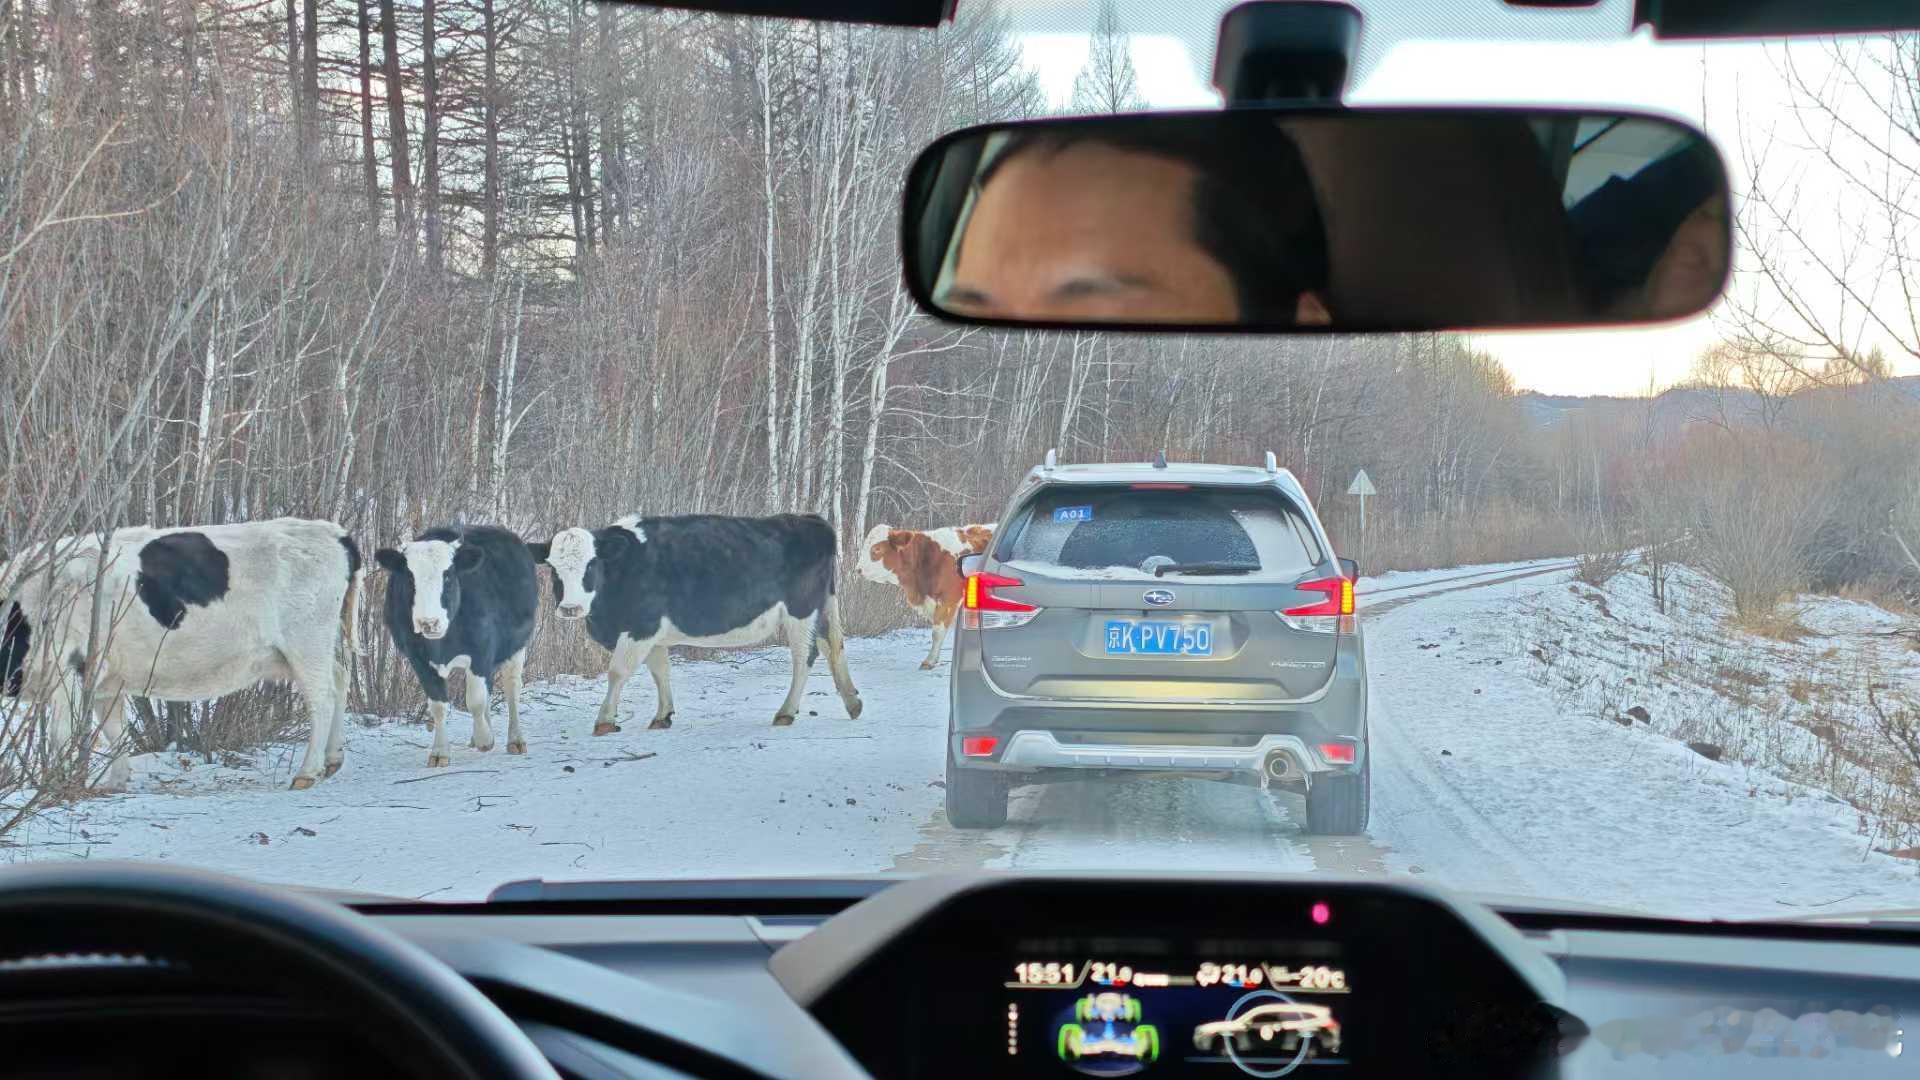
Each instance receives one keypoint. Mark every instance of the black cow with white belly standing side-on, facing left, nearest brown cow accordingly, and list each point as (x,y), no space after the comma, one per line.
(650,583)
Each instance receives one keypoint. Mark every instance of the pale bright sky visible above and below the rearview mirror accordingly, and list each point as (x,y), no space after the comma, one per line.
(1489,55)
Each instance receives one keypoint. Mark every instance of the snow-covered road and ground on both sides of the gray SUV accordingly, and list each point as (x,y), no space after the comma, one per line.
(1487,777)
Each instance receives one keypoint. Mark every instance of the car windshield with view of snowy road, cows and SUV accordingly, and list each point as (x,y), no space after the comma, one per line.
(299,299)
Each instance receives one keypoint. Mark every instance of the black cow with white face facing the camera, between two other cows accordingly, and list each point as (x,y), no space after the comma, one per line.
(464,599)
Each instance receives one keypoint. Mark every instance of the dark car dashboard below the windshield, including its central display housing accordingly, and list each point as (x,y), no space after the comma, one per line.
(997,975)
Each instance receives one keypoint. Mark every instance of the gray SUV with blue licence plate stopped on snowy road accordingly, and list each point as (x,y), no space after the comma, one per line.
(1151,618)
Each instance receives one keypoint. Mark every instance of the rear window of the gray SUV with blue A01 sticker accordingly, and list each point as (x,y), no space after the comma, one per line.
(1136,529)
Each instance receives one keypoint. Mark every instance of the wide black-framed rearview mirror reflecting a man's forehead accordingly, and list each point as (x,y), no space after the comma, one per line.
(1320,220)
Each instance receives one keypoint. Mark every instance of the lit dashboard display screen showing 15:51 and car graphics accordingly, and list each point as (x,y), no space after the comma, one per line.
(1216,1008)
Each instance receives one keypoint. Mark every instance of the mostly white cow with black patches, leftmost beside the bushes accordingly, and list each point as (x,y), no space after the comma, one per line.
(185,616)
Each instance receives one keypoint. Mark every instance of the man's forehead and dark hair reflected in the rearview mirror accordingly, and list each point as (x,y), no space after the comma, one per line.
(1155,226)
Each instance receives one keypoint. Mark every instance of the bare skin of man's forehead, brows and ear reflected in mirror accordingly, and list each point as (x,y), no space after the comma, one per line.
(1093,233)
